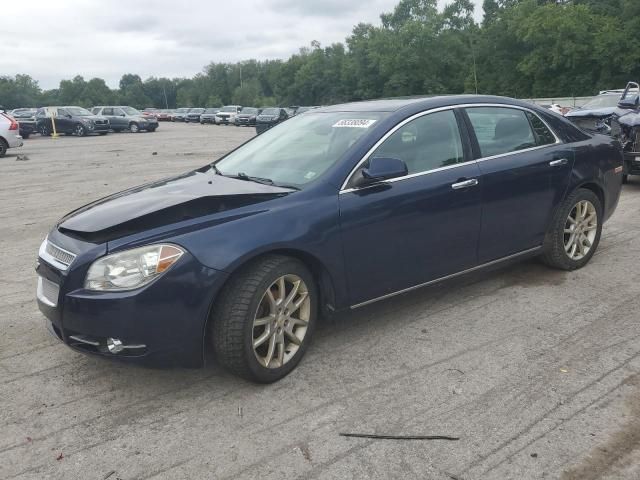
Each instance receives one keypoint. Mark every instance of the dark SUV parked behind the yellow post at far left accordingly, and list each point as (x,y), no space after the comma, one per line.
(71,120)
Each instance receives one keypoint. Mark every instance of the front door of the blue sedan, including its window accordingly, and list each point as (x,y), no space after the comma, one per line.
(418,228)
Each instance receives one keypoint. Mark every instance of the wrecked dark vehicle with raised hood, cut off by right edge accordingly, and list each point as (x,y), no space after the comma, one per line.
(625,126)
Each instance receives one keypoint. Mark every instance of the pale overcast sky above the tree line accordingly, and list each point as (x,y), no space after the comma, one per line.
(55,40)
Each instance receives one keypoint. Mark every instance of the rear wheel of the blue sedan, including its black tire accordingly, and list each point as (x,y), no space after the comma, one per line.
(558,246)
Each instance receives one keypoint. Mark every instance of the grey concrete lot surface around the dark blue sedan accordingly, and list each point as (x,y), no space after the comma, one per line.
(535,370)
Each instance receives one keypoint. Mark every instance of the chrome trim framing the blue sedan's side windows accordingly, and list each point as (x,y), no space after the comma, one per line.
(344,189)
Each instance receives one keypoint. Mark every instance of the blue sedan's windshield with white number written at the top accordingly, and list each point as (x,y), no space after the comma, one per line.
(302,149)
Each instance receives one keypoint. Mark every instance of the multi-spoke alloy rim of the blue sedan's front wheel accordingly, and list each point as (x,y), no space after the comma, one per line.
(281,321)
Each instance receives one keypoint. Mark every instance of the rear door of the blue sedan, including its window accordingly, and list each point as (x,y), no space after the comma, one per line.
(525,171)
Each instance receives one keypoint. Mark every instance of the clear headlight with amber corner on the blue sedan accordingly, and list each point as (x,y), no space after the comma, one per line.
(132,268)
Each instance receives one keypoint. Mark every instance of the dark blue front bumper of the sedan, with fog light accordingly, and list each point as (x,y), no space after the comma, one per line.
(161,324)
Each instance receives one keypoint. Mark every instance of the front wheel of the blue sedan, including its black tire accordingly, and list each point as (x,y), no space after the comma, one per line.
(244,299)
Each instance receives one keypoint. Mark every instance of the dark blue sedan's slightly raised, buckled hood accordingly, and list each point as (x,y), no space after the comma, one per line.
(168,201)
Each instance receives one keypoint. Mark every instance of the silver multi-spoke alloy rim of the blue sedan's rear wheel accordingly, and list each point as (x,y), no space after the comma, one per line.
(580,230)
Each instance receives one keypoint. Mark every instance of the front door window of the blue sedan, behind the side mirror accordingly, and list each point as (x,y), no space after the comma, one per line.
(426,143)
